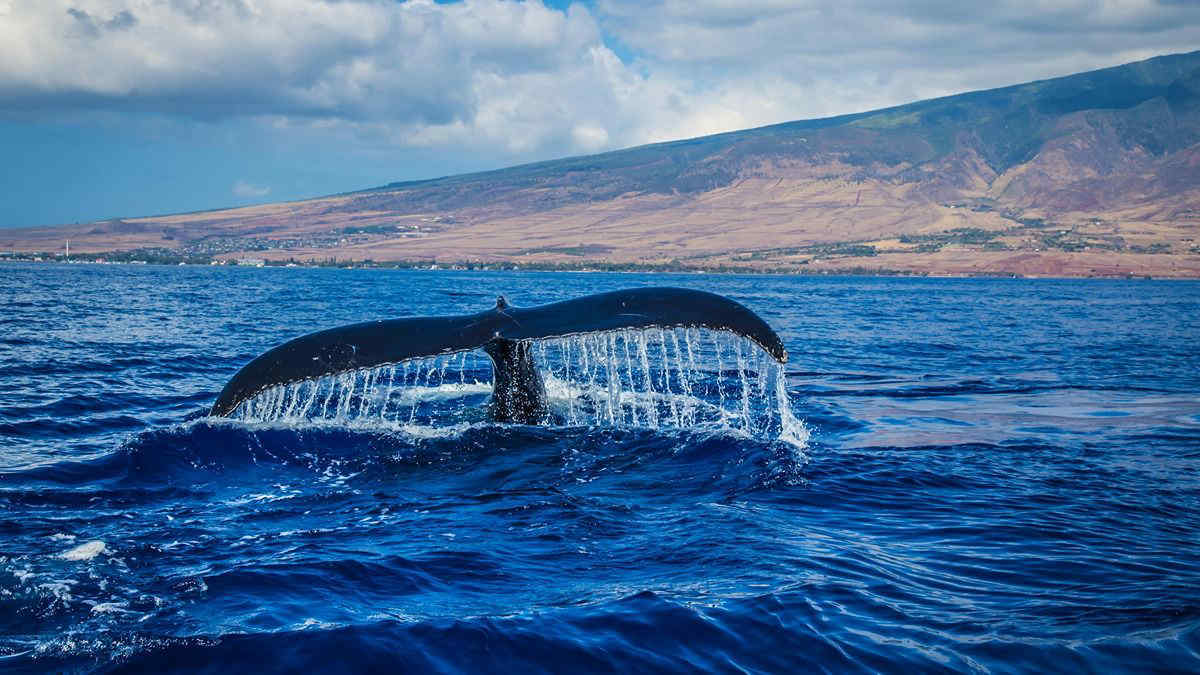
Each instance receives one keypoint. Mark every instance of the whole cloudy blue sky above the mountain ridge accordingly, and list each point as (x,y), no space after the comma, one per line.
(116,109)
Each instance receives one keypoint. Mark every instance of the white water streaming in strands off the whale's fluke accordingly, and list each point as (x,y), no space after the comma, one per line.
(656,378)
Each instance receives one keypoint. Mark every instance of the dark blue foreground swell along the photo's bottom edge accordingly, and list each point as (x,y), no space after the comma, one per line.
(646,632)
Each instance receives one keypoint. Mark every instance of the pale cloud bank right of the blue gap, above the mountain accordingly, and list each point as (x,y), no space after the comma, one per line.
(772,61)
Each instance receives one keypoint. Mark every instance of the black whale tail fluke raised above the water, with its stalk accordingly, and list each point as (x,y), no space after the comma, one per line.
(505,332)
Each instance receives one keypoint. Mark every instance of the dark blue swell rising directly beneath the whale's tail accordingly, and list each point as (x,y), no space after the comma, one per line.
(211,447)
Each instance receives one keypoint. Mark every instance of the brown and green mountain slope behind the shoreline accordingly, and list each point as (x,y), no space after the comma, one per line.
(1096,174)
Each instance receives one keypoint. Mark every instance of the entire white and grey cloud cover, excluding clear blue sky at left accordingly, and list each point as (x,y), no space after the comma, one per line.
(521,80)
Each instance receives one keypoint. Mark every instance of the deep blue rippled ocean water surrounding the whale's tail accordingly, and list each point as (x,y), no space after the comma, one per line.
(1001,476)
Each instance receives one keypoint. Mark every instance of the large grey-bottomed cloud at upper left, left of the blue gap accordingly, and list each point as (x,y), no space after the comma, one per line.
(353,61)
